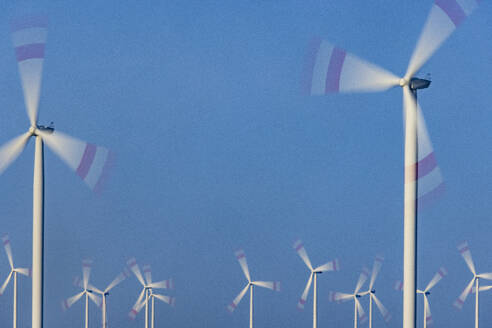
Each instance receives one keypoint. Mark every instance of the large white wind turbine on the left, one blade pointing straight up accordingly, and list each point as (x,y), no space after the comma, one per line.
(89,161)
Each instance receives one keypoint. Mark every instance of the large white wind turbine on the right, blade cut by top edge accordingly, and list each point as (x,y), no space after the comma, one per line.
(332,70)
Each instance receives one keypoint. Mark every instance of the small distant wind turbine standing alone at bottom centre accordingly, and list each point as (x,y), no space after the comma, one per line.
(273,285)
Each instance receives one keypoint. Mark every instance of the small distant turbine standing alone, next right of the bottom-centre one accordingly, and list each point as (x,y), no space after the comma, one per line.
(329,266)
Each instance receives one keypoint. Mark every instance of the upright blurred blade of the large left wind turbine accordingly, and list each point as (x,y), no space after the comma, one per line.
(29,36)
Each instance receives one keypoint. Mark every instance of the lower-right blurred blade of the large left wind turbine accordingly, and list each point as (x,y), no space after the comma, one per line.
(91,162)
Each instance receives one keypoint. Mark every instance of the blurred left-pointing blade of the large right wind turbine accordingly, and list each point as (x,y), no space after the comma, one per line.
(330,69)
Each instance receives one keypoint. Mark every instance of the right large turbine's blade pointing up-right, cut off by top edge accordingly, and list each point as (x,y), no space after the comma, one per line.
(445,16)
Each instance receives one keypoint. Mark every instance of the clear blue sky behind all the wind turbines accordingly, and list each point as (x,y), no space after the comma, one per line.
(217,149)
